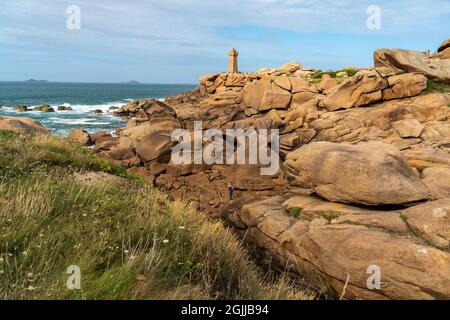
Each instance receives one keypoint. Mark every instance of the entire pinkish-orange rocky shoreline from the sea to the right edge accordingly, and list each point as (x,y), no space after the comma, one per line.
(365,179)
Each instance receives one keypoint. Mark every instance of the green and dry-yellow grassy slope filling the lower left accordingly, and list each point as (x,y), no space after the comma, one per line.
(128,239)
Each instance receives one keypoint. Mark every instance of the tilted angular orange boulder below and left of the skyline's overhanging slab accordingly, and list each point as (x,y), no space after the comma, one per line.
(362,89)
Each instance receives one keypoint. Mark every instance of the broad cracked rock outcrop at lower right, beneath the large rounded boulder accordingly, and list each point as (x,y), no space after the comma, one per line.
(335,248)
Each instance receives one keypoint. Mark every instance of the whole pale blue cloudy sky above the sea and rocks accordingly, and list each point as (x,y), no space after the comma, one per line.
(177,41)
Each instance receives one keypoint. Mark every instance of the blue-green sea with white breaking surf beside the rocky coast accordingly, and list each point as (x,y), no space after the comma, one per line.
(82,97)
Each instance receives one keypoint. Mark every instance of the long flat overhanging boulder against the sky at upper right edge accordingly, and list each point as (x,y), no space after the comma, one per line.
(413,61)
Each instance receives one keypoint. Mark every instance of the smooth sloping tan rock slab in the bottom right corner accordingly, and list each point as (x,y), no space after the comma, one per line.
(409,270)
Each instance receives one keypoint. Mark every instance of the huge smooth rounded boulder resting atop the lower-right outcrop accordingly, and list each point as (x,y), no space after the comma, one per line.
(370,174)
